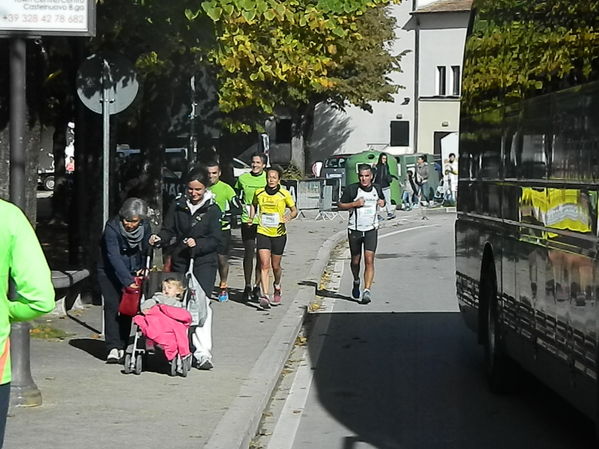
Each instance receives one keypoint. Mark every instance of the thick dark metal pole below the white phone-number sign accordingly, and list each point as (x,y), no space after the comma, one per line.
(23,391)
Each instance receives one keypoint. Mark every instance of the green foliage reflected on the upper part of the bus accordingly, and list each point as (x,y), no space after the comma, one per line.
(519,48)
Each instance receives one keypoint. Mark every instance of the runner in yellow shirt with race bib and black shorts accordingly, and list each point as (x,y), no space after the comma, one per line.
(270,205)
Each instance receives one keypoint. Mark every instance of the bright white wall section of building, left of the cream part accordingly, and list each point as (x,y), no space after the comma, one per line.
(355,130)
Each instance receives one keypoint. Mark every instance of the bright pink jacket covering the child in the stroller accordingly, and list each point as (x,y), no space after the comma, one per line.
(167,326)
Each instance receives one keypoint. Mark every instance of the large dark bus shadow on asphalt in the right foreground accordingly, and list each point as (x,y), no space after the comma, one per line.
(415,380)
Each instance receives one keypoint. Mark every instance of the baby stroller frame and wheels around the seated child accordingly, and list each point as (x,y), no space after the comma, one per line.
(193,302)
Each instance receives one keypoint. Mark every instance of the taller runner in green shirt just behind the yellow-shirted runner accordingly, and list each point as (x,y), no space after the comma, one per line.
(246,187)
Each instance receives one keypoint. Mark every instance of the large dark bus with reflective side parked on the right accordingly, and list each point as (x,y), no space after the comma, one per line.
(527,267)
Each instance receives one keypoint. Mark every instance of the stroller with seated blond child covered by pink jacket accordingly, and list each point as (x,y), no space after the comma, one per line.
(164,321)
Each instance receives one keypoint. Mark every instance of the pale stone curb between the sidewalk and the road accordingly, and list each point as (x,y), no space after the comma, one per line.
(240,422)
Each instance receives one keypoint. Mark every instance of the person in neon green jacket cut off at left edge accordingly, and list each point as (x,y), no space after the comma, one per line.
(23,262)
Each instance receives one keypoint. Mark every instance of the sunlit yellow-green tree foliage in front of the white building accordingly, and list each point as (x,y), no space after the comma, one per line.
(290,55)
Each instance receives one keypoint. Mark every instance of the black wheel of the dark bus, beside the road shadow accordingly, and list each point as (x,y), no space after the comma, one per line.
(499,367)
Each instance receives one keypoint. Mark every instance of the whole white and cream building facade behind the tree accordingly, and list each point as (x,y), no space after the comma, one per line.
(424,115)
